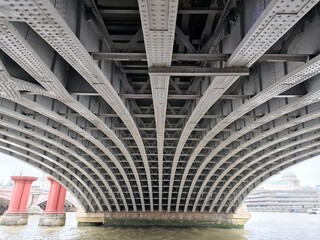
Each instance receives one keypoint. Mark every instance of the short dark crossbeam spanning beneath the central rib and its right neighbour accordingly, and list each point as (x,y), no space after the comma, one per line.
(189,71)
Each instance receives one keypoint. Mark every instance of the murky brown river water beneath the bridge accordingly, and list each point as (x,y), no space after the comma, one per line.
(261,226)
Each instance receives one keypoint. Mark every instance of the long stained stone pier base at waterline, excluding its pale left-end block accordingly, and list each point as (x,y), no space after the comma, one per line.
(172,219)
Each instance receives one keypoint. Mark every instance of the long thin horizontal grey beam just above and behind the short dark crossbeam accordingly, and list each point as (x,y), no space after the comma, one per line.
(195,57)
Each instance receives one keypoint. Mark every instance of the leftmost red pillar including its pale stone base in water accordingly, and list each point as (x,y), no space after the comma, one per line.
(17,212)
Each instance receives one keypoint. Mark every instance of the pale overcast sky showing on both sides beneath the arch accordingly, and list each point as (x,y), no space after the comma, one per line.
(308,171)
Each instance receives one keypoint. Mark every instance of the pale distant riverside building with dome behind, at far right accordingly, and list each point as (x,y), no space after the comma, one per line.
(285,195)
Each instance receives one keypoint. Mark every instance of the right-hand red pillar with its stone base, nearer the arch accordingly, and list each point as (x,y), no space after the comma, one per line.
(54,214)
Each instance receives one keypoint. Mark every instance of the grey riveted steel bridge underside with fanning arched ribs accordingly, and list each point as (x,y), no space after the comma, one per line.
(160,107)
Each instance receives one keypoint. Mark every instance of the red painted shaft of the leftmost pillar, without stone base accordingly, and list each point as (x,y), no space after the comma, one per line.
(20,194)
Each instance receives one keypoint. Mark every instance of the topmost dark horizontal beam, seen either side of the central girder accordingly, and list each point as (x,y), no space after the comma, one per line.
(185,10)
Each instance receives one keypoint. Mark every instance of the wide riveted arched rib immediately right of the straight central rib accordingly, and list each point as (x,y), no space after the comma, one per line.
(262,35)
